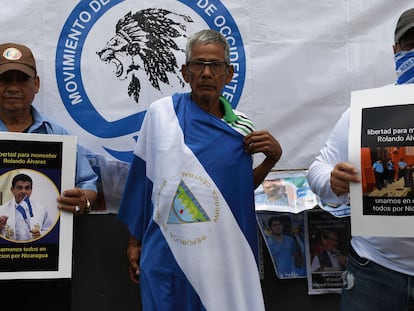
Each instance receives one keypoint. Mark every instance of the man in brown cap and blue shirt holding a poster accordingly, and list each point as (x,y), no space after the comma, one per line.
(19,84)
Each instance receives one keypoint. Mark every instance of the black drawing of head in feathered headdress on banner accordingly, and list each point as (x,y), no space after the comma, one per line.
(145,40)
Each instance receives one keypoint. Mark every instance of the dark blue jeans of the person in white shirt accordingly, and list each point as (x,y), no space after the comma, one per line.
(368,287)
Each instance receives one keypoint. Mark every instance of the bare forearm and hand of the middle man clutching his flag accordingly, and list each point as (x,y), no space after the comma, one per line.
(263,141)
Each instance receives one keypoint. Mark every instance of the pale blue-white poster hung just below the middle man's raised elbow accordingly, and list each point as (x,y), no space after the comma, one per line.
(285,191)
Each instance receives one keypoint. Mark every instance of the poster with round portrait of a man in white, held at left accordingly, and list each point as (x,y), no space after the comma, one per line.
(35,237)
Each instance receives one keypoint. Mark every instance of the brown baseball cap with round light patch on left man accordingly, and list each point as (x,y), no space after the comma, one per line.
(19,57)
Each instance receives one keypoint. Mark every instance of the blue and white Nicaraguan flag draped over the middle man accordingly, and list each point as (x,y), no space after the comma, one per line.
(189,199)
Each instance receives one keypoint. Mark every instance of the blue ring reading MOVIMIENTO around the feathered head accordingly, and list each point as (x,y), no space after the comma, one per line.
(85,112)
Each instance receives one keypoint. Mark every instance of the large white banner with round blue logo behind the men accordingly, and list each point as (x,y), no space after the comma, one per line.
(101,62)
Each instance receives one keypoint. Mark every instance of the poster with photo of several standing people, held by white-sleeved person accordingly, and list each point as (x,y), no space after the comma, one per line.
(383,149)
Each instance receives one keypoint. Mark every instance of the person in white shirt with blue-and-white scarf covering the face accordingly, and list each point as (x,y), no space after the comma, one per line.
(380,270)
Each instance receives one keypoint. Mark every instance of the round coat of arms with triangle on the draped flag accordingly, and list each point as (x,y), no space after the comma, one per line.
(187,199)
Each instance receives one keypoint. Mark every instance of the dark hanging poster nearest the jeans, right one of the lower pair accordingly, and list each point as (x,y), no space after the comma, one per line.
(326,242)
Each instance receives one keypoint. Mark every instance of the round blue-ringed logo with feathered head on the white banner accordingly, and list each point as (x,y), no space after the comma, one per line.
(115,57)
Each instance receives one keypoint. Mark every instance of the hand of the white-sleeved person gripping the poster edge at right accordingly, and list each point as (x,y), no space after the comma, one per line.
(342,174)
